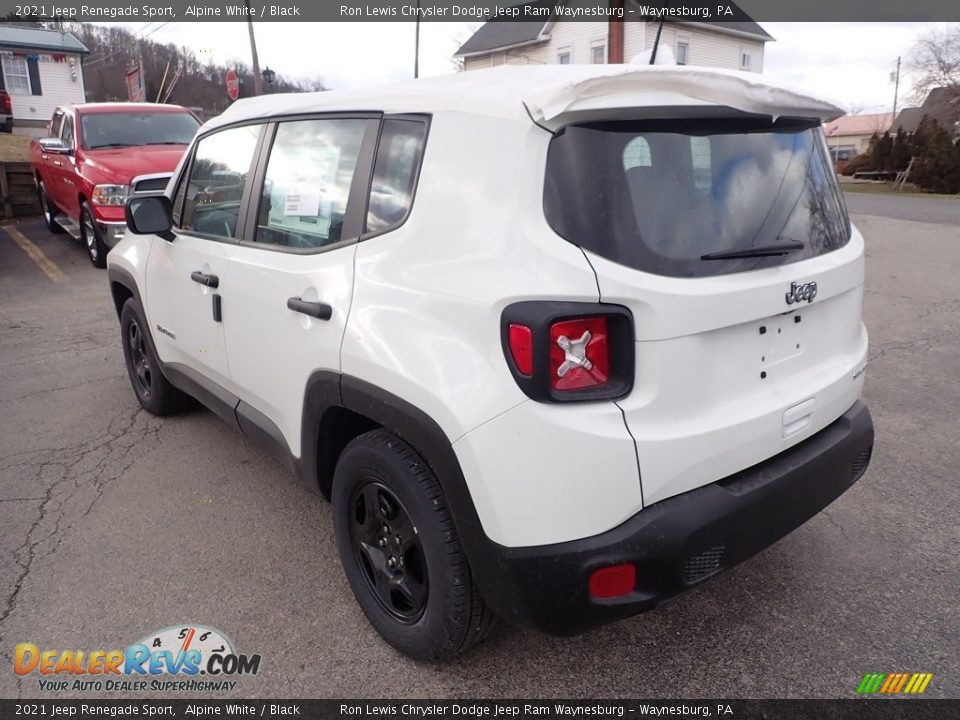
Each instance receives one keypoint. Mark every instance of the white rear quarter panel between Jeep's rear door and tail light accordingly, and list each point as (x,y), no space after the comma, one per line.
(425,323)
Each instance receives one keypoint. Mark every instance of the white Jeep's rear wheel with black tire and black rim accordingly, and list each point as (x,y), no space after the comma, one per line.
(380,480)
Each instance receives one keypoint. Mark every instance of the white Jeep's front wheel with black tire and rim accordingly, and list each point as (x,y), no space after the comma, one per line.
(154,392)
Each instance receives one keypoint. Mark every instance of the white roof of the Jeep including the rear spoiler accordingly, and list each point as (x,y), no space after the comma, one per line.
(546,91)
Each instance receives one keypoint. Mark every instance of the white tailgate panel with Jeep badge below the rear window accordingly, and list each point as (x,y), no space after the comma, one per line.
(699,409)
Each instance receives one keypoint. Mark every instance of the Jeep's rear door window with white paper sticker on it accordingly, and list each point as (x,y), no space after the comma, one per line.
(307,183)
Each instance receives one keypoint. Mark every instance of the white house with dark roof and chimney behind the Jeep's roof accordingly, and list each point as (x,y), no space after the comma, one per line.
(736,45)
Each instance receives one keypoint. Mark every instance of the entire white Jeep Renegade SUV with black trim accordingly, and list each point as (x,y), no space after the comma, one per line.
(559,343)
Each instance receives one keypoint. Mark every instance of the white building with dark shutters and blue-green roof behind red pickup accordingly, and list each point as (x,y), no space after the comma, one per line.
(41,70)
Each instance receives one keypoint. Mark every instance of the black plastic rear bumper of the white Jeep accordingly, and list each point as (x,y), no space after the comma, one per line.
(680,542)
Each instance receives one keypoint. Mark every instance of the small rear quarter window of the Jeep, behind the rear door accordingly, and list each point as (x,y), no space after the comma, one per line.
(395,173)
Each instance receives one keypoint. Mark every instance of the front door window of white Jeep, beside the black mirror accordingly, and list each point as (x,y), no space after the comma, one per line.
(216,180)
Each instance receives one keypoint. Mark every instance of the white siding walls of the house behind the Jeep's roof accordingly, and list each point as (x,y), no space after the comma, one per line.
(705,47)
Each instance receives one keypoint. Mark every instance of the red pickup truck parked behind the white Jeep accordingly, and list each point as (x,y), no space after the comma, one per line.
(97,154)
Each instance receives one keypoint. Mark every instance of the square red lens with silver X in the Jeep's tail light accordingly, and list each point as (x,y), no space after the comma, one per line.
(579,353)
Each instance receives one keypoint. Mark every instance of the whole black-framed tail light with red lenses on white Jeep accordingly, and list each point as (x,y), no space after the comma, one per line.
(568,351)
